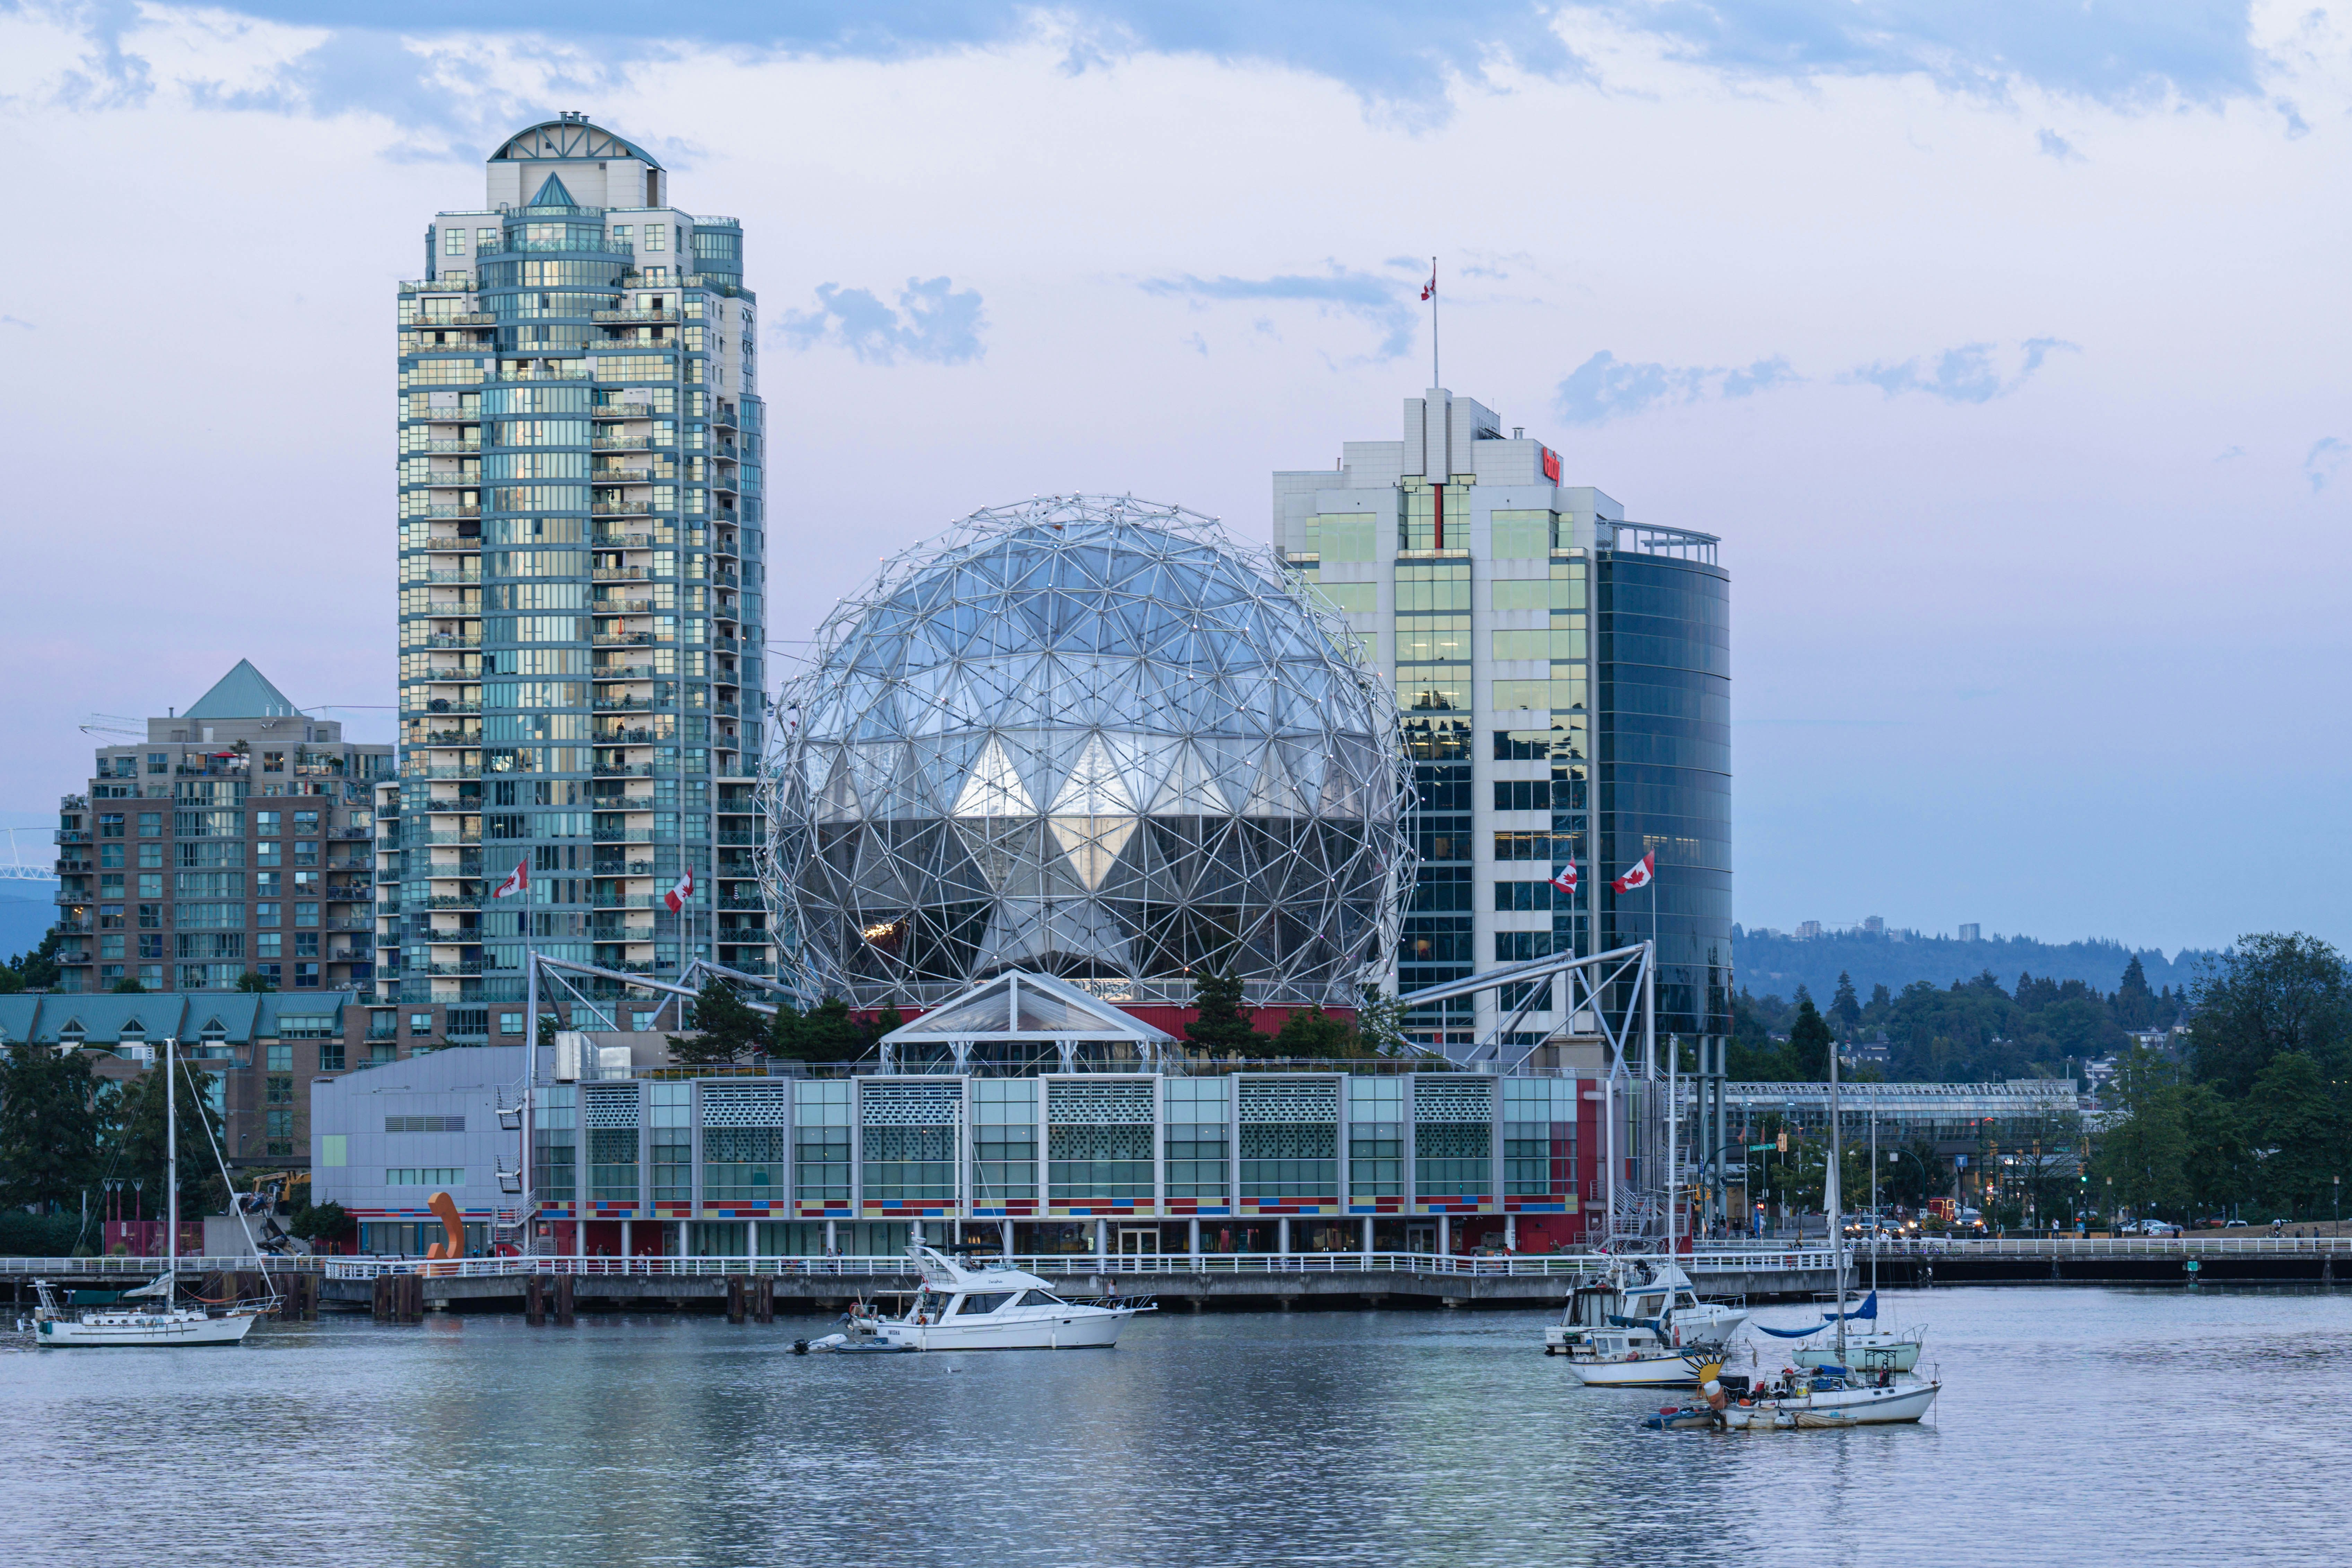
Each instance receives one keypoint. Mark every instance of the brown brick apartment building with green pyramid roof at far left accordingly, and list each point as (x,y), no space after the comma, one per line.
(234,840)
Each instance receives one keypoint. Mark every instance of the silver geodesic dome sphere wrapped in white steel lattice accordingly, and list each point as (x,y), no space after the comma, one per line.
(1085,737)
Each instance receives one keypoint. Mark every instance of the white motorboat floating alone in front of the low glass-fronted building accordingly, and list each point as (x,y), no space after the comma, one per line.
(982,1308)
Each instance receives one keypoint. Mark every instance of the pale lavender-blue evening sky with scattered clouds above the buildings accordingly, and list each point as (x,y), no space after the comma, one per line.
(2000,344)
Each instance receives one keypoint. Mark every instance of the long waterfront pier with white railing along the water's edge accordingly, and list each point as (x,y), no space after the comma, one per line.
(403,1289)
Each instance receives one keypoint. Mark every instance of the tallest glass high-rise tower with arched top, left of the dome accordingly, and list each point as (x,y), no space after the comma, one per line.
(582,568)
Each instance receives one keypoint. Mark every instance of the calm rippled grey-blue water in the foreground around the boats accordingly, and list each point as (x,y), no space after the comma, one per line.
(2078,1428)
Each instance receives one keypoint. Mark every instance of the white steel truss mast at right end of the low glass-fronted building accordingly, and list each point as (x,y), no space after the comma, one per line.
(1622,1000)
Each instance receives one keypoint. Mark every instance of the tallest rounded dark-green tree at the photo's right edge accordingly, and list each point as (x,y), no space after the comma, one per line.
(2266,998)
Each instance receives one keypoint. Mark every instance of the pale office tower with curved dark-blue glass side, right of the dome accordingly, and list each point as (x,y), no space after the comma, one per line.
(1565,685)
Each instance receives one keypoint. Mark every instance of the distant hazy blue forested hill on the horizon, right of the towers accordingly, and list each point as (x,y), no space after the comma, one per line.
(1775,965)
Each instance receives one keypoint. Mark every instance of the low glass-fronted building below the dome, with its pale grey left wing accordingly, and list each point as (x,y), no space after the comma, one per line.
(860,1160)
